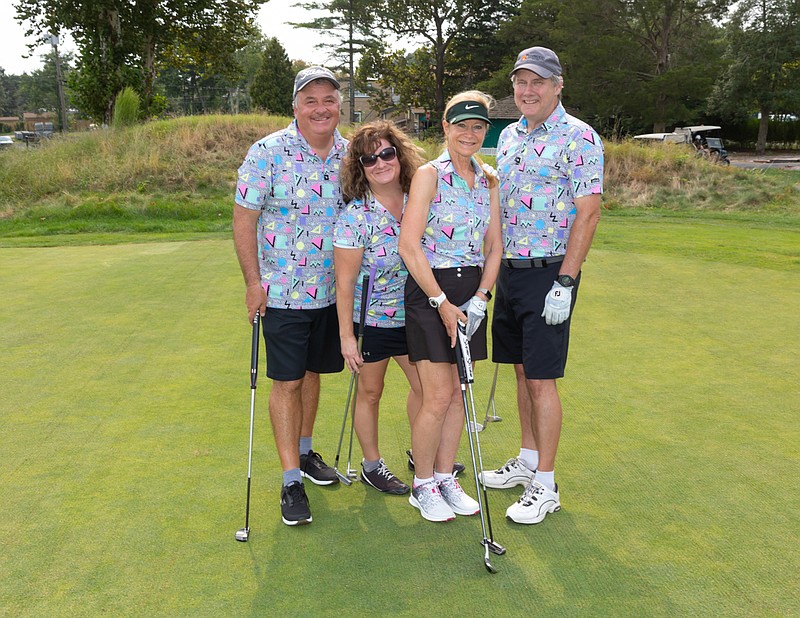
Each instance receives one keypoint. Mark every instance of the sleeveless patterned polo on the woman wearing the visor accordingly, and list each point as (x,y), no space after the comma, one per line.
(458,217)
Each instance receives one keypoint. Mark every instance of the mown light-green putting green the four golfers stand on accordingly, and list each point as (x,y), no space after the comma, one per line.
(123,447)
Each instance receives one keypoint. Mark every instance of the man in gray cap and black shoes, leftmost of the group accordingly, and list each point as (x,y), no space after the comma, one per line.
(287,202)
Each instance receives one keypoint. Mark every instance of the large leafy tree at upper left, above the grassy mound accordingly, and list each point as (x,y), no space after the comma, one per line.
(123,43)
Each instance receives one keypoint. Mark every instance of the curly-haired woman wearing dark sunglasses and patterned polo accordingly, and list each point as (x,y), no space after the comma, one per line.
(376,175)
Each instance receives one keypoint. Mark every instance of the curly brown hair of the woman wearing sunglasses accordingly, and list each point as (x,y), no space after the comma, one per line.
(364,142)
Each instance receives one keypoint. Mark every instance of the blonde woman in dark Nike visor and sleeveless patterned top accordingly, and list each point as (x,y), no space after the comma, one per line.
(451,245)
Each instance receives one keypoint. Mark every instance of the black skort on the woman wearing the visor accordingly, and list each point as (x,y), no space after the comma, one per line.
(426,334)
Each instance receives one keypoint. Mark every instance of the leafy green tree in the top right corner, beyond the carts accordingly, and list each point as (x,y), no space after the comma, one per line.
(764,70)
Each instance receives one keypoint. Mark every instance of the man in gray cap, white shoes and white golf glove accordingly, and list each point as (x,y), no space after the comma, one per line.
(551,180)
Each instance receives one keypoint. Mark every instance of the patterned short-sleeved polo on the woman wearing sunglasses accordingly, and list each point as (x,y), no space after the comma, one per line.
(368,225)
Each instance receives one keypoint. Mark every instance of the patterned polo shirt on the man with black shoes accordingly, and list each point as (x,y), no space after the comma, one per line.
(299,198)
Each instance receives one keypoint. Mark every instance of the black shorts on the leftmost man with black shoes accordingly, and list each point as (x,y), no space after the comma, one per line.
(300,340)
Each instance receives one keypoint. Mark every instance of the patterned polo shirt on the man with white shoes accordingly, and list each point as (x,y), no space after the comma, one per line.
(541,174)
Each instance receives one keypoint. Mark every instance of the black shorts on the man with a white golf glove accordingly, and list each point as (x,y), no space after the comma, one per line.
(519,332)
